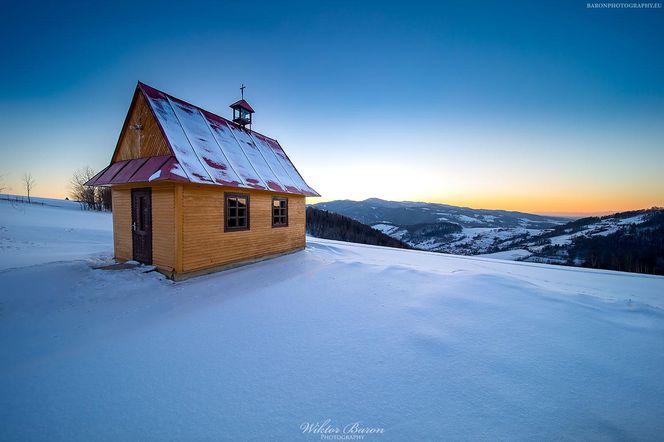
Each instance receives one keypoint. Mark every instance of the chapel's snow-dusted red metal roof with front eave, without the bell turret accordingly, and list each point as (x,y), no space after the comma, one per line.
(207,149)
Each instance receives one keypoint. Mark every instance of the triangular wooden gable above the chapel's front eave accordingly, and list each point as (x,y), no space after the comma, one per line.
(148,142)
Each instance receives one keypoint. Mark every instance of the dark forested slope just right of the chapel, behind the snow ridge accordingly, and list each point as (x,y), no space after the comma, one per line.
(328,225)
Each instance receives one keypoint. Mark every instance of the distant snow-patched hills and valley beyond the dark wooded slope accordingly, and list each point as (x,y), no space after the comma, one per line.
(628,241)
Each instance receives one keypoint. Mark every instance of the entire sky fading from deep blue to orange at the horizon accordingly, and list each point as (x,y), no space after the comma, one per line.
(544,107)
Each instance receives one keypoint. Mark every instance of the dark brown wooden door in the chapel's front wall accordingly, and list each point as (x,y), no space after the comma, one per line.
(141,224)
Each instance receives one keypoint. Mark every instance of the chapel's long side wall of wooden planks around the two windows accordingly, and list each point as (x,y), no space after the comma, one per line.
(206,245)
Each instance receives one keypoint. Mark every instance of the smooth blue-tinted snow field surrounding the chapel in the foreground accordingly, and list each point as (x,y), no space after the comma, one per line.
(424,345)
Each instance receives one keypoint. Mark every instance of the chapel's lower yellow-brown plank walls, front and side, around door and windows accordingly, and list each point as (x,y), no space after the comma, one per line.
(188,227)
